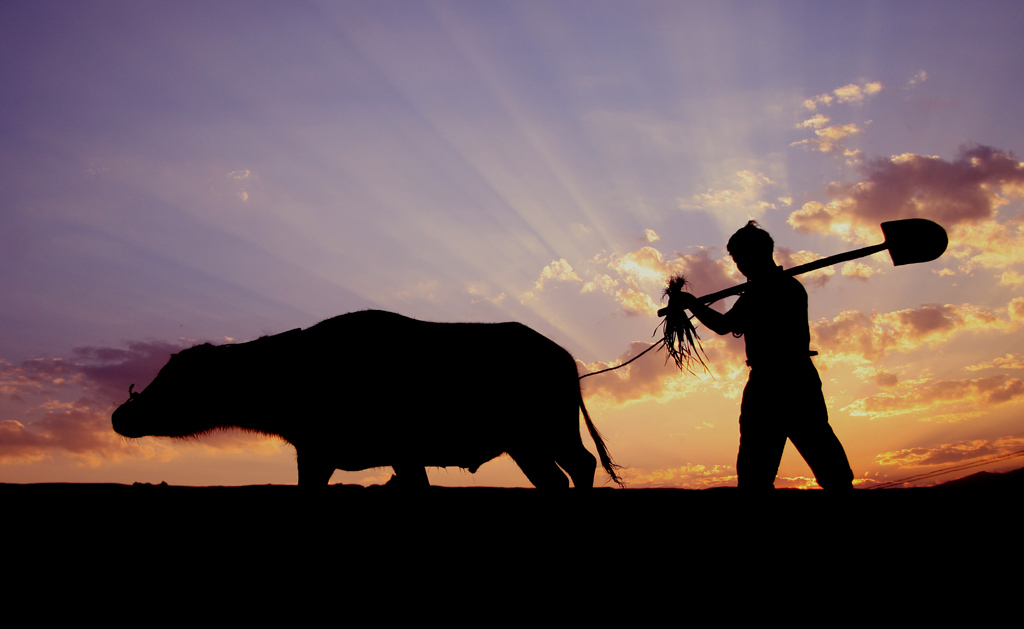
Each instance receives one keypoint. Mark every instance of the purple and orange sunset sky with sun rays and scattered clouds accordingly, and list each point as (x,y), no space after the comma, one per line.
(189,173)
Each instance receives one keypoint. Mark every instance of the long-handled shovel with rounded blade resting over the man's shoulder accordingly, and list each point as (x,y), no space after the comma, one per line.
(910,241)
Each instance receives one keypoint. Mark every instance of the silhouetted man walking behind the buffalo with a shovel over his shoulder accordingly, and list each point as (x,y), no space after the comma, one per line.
(783,399)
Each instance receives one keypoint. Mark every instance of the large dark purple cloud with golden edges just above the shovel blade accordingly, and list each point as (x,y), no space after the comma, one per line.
(966,191)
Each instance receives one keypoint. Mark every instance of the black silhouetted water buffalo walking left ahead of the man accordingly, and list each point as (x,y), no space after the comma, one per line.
(373,390)
